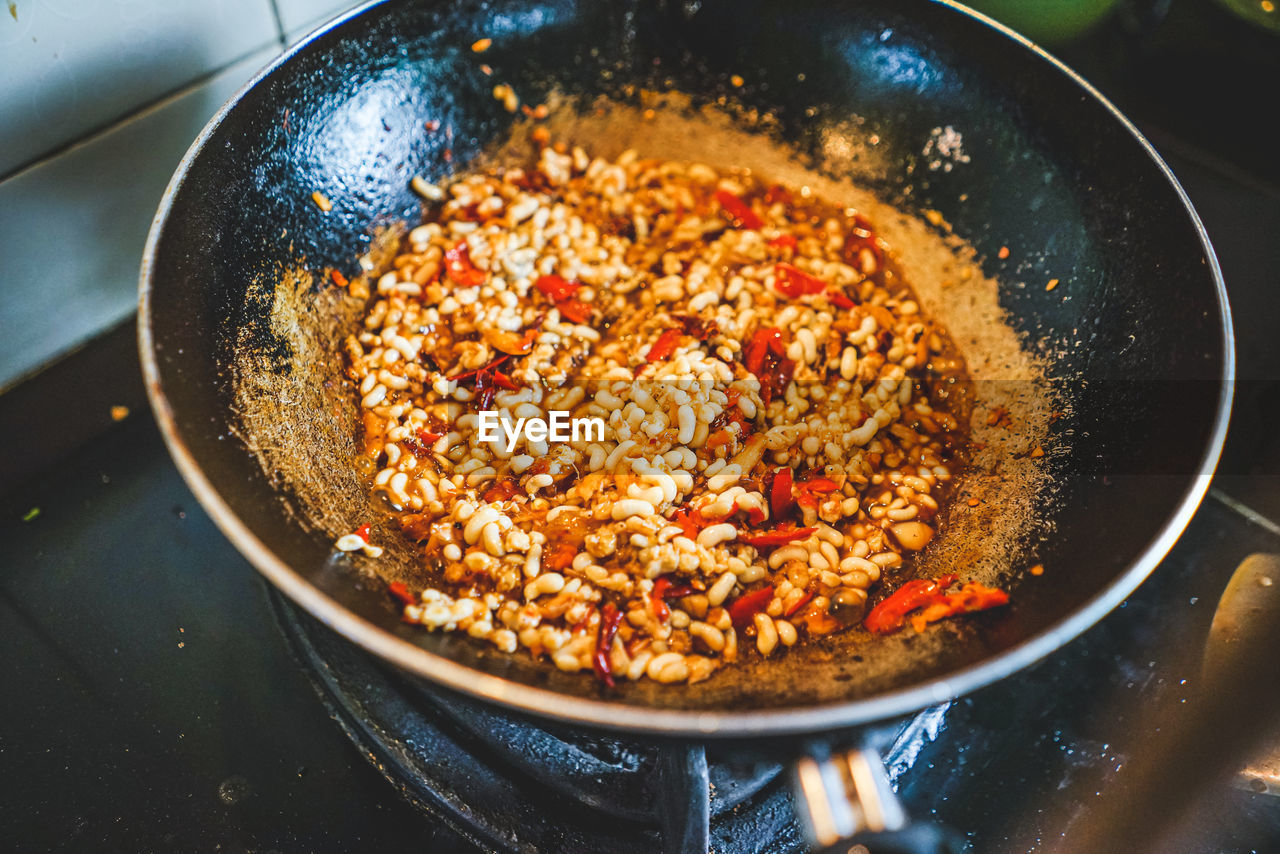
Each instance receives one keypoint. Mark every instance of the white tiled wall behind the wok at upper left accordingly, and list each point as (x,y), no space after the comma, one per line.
(99,101)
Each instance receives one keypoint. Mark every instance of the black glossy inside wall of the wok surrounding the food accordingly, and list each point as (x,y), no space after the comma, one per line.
(1137,350)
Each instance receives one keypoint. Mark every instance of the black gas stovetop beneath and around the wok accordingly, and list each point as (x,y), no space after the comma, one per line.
(162,697)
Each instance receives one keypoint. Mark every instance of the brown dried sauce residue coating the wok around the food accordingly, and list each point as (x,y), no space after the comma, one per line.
(303,424)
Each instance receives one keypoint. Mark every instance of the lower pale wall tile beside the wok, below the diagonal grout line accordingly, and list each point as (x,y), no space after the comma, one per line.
(100,197)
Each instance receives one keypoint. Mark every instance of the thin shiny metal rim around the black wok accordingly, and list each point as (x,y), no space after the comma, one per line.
(644,720)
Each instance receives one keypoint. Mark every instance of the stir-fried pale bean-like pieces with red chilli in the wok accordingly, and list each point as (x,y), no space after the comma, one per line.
(643,417)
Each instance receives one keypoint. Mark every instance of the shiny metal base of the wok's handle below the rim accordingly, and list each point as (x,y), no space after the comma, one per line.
(848,794)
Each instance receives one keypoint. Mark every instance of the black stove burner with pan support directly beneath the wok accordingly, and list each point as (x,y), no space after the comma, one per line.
(509,784)
